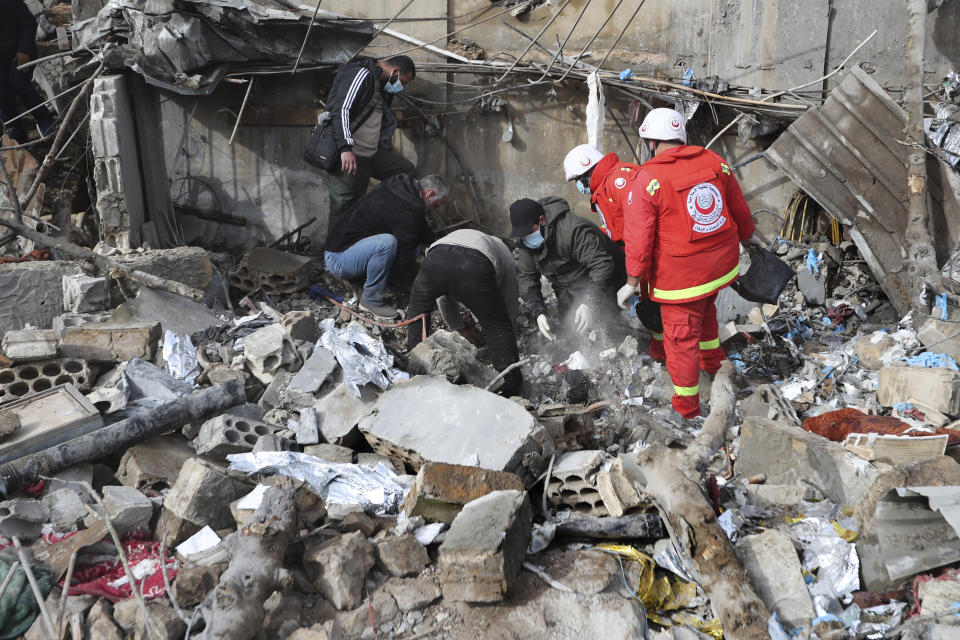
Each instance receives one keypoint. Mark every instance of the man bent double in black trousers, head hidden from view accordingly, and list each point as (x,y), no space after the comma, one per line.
(478,270)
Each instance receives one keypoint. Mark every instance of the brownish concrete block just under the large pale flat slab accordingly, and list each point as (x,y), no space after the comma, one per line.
(440,490)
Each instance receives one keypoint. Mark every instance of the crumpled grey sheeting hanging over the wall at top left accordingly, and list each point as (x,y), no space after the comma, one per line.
(190,47)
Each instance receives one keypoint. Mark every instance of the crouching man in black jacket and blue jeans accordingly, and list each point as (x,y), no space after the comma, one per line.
(381,232)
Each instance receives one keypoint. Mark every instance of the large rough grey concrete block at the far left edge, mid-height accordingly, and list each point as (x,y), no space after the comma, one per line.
(32,293)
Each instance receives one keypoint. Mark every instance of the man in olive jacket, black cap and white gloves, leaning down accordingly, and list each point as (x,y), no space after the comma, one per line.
(573,254)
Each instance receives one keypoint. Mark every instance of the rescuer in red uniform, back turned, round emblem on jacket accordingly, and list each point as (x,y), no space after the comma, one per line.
(684,220)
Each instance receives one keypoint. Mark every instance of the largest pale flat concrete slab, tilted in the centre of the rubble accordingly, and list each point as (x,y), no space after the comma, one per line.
(488,428)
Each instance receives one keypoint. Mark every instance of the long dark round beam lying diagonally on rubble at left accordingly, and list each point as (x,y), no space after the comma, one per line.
(121,435)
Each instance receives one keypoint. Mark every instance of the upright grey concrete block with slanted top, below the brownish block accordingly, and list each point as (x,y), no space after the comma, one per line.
(484,549)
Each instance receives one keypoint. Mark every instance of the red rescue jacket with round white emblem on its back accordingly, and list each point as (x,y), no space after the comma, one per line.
(683,224)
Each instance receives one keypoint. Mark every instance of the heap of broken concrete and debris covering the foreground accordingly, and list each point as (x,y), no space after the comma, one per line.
(405,499)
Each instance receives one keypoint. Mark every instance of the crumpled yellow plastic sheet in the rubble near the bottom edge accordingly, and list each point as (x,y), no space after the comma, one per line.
(663,595)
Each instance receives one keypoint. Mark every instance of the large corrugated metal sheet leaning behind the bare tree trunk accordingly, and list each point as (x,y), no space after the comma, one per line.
(850,155)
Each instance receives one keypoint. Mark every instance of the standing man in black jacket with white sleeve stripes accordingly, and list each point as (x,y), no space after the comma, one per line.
(363,124)
